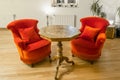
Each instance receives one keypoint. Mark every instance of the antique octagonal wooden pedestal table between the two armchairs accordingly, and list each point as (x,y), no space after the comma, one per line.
(59,33)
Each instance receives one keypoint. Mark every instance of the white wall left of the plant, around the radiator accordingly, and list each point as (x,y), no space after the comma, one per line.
(36,9)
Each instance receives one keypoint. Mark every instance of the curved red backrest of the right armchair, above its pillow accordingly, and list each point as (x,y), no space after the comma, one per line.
(95,22)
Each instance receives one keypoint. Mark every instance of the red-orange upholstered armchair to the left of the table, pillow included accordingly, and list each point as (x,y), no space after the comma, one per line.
(31,47)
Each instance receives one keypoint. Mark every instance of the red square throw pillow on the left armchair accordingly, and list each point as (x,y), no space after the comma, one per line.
(29,35)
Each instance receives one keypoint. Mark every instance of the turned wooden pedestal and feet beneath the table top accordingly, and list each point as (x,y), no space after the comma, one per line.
(61,58)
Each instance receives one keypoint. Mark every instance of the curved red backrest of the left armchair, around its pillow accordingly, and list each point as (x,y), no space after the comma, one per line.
(14,26)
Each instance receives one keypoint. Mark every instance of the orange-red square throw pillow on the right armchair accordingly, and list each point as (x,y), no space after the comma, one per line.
(89,33)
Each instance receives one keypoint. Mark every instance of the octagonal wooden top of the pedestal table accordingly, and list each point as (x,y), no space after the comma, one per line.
(59,32)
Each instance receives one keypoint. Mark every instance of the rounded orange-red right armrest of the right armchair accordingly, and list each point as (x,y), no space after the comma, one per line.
(100,39)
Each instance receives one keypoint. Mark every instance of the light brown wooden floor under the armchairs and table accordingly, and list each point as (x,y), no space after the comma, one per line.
(12,68)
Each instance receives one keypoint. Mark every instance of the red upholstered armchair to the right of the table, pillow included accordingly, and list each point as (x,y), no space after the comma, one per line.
(89,43)
